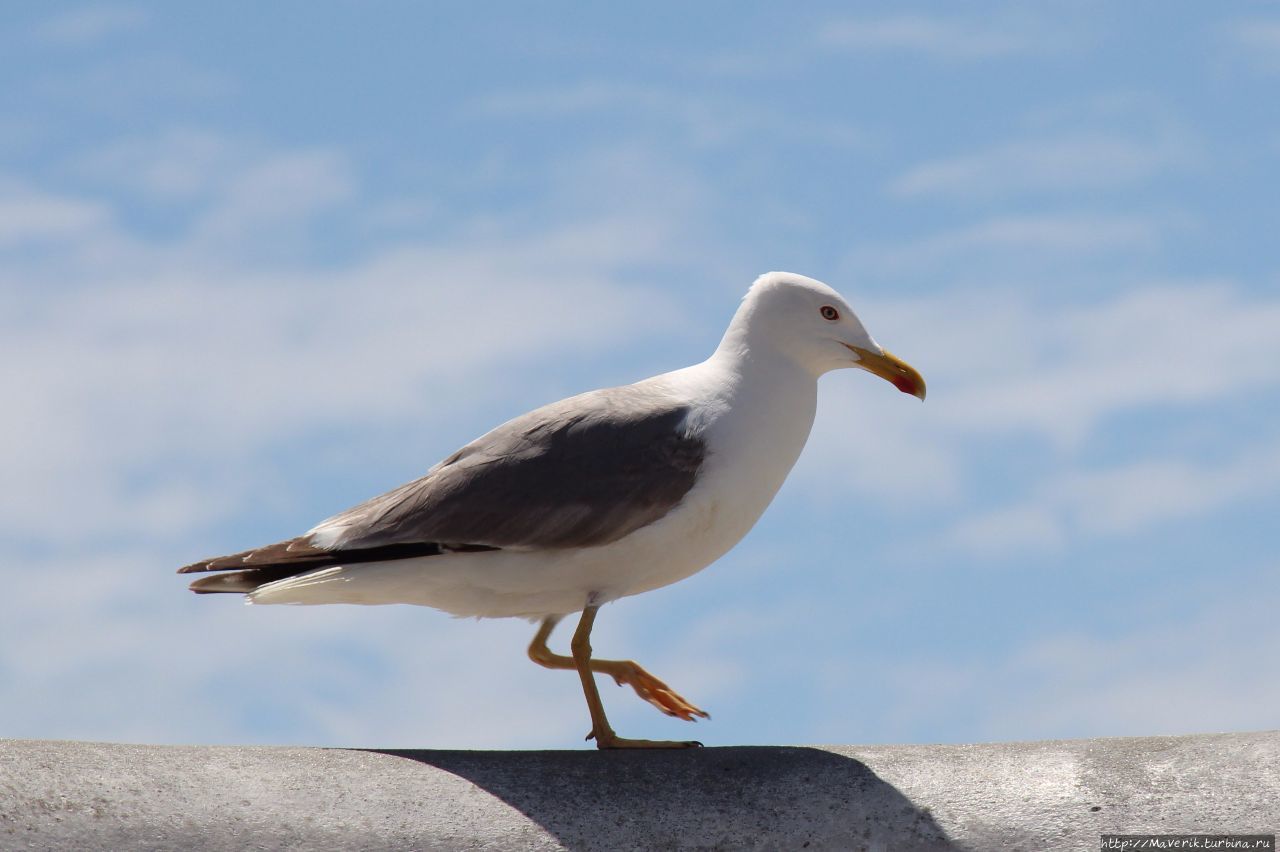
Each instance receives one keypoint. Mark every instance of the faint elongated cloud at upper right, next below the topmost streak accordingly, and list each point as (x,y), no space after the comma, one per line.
(1066,164)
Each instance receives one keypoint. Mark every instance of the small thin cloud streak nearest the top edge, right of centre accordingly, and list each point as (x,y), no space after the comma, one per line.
(932,36)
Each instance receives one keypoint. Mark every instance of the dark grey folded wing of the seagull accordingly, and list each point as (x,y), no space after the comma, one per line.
(580,473)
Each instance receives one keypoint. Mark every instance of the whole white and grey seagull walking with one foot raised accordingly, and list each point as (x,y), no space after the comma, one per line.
(591,500)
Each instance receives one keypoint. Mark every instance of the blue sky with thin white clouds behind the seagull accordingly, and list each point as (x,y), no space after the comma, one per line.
(259,264)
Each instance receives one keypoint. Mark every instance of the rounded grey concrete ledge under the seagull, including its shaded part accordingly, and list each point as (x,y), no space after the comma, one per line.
(1005,796)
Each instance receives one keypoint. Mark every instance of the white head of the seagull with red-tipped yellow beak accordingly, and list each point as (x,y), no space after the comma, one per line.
(815,326)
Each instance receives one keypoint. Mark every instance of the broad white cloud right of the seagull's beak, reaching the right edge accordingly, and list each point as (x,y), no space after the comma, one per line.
(1159,346)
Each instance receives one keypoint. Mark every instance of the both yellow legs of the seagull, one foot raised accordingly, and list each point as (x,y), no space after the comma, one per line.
(647,686)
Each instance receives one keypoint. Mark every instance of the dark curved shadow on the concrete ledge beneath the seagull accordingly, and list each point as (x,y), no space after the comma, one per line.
(717,799)
